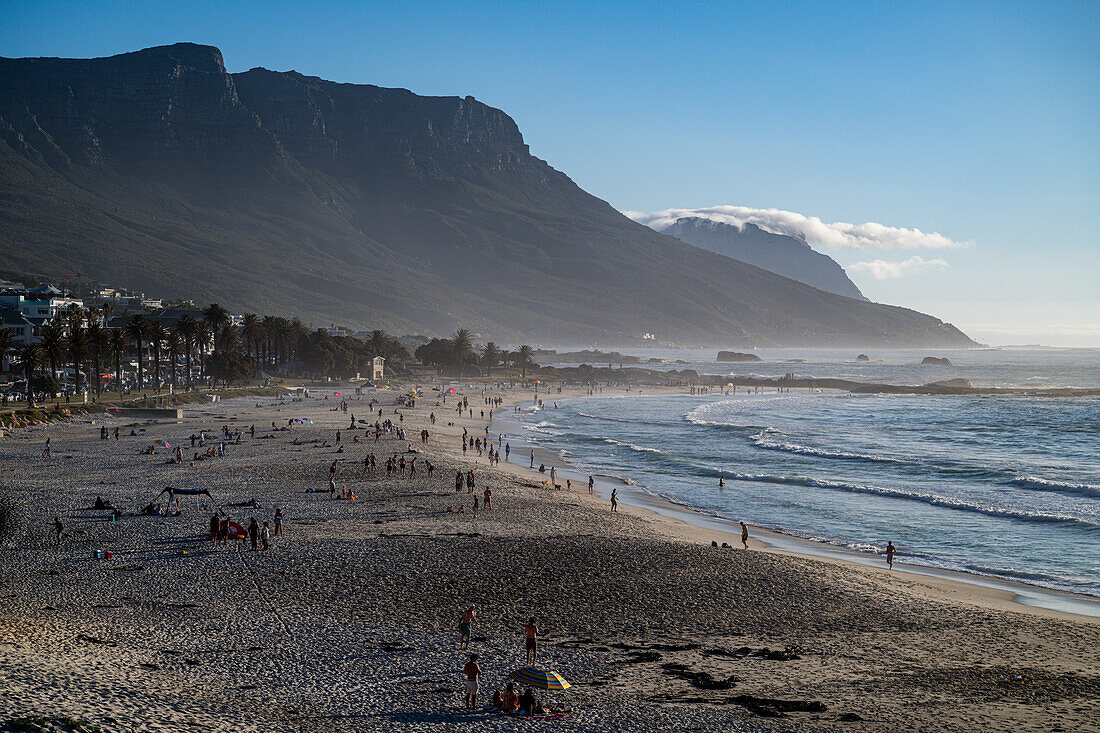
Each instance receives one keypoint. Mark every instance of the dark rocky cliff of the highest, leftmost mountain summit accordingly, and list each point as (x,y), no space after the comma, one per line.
(171,114)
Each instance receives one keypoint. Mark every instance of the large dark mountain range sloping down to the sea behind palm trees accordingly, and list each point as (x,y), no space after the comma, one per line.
(370,207)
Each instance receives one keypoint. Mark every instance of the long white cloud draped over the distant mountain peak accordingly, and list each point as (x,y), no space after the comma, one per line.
(870,236)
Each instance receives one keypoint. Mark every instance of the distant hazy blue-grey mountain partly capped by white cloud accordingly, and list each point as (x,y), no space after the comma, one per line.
(779,254)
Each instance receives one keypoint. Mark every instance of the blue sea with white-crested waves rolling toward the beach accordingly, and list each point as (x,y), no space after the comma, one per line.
(999,487)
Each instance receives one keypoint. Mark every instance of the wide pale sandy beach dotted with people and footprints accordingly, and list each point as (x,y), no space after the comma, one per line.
(350,621)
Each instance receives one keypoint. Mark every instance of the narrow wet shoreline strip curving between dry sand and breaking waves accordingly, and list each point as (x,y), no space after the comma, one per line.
(691,524)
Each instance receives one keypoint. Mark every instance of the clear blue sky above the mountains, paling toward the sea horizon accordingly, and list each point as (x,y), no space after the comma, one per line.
(978,122)
